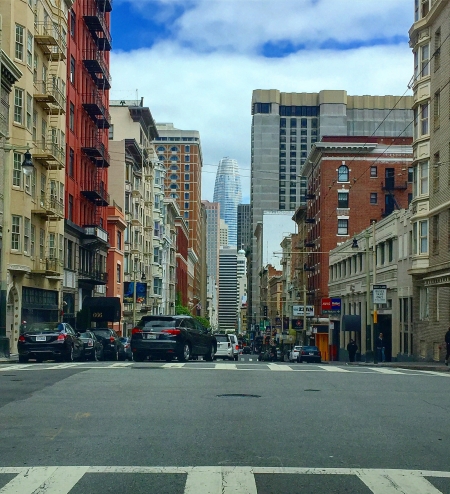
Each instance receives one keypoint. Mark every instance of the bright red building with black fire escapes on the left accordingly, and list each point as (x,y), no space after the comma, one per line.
(87,158)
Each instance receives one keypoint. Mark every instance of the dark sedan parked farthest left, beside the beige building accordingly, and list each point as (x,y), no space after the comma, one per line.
(49,340)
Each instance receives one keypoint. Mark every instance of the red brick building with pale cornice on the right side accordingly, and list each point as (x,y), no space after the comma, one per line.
(352,181)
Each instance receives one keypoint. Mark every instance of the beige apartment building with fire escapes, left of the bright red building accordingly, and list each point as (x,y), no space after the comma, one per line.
(34,36)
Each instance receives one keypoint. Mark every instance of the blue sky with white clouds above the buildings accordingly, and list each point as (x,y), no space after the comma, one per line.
(196,62)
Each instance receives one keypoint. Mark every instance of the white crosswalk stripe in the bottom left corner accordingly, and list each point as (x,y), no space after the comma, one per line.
(45,480)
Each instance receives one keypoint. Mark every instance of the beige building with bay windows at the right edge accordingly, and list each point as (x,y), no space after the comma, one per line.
(429,40)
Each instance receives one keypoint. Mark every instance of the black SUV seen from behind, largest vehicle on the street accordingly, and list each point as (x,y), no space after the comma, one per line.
(170,336)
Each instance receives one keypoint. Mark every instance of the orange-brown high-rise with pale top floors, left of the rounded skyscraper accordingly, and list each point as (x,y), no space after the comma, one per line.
(181,153)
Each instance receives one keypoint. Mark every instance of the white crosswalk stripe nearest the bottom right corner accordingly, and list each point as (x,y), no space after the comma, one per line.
(396,483)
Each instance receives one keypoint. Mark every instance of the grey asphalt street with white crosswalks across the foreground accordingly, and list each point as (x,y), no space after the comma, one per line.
(242,427)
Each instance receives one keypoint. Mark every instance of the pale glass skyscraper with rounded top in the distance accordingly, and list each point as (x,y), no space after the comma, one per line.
(228,193)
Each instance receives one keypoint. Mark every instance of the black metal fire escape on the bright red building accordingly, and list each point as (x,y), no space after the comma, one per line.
(94,101)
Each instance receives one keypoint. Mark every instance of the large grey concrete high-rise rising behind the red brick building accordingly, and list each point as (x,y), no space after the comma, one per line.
(284,128)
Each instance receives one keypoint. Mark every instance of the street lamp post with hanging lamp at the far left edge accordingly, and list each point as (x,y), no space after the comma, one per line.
(27,167)
